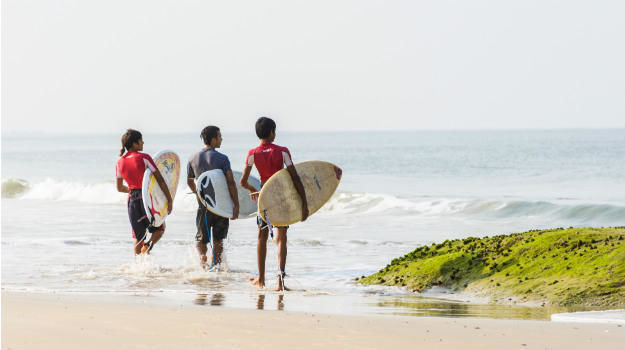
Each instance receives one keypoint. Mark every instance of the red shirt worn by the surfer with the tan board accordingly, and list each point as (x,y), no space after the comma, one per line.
(269,159)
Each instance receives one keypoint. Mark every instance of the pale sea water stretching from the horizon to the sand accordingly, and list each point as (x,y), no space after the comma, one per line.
(65,227)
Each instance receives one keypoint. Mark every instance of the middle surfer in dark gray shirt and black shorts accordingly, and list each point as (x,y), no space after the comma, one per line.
(209,159)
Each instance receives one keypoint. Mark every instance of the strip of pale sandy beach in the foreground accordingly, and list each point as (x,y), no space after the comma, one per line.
(38,321)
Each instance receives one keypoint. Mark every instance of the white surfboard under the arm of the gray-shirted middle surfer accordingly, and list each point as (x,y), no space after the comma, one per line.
(212,189)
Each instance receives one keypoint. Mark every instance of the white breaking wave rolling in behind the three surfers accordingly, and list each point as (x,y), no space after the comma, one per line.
(345,203)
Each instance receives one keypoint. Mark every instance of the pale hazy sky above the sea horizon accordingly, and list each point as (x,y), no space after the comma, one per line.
(74,66)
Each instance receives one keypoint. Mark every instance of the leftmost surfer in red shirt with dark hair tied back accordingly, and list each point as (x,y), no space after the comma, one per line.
(130,168)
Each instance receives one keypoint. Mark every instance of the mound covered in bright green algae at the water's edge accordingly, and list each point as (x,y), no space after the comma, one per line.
(564,267)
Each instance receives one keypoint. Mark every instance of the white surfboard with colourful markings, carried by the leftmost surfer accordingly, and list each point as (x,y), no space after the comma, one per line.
(154,200)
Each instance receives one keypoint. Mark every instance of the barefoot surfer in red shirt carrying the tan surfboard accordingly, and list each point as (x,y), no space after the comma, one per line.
(270,158)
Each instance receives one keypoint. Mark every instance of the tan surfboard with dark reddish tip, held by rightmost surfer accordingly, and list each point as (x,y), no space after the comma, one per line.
(281,203)
